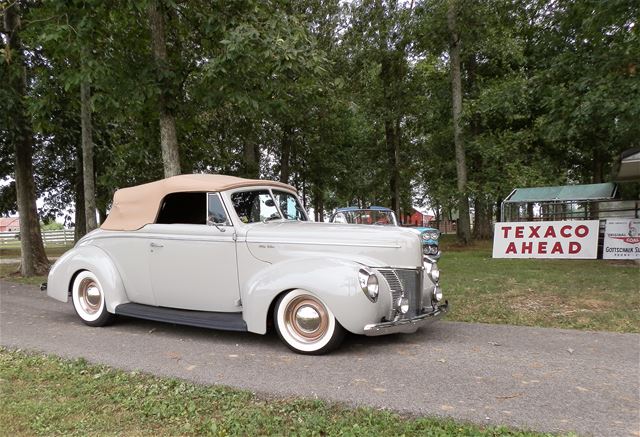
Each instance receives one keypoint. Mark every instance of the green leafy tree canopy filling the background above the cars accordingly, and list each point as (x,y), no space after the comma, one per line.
(351,102)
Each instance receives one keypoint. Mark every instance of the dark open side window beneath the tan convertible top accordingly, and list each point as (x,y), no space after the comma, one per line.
(187,208)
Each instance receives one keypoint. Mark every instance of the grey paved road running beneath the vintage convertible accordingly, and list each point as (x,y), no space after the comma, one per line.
(541,379)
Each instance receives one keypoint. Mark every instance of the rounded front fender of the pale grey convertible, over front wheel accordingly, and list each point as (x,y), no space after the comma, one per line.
(334,281)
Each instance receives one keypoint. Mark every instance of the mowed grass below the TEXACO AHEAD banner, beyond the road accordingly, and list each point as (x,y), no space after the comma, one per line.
(581,294)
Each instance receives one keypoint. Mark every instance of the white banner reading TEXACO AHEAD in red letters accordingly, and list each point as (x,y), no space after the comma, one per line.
(562,239)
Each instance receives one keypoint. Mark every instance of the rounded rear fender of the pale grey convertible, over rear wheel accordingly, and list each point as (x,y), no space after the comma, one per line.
(94,259)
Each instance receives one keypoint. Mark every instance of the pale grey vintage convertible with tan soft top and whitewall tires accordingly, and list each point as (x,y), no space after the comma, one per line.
(236,254)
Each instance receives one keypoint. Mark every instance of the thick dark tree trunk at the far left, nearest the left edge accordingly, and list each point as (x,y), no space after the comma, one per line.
(34,260)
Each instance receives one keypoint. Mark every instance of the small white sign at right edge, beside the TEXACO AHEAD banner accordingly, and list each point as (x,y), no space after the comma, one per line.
(622,239)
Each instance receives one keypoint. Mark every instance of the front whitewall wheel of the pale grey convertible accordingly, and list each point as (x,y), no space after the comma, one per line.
(305,324)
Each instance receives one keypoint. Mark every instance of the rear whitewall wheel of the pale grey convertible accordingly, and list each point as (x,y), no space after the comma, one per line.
(88,300)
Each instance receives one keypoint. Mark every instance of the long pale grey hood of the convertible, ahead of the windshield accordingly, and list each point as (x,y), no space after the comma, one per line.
(375,246)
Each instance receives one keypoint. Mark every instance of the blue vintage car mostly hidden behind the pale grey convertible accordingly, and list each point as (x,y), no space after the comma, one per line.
(379,215)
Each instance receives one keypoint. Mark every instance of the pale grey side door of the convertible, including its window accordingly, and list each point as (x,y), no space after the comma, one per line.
(192,260)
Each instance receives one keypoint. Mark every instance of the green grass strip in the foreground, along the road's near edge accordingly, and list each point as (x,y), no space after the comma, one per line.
(44,395)
